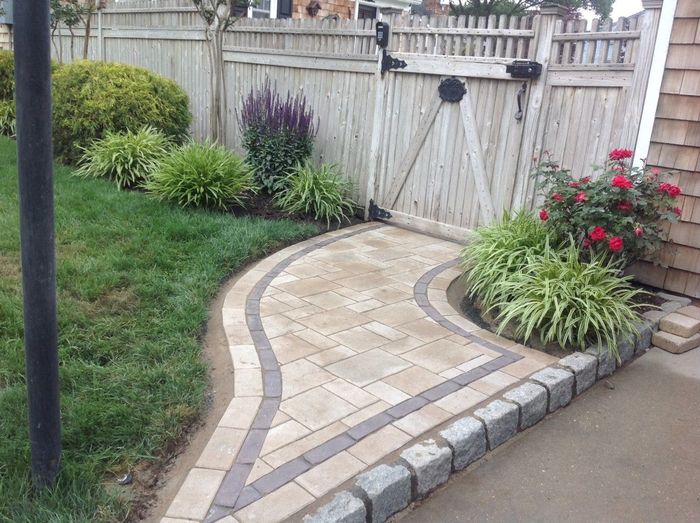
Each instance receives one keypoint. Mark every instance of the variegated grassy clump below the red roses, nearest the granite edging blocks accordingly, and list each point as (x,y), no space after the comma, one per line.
(567,300)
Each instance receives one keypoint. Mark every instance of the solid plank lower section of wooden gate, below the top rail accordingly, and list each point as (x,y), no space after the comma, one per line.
(450,160)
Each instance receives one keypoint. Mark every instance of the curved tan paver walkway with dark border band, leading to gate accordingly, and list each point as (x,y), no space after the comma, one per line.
(344,349)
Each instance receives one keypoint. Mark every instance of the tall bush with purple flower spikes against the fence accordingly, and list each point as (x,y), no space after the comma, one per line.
(277,134)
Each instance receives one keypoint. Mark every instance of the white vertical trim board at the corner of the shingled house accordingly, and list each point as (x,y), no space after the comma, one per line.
(656,74)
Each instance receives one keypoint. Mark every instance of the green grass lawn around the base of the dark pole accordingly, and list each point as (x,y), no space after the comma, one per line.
(135,278)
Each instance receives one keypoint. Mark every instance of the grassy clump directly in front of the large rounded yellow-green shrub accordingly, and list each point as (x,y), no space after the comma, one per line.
(127,158)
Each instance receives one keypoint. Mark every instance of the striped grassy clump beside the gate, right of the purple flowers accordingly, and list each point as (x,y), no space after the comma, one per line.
(322,193)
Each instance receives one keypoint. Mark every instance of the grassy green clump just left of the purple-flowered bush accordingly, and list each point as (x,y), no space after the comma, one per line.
(202,175)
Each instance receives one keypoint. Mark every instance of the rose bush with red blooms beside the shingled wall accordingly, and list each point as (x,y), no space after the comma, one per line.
(619,214)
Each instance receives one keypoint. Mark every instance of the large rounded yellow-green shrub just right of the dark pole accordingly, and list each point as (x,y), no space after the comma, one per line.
(93,98)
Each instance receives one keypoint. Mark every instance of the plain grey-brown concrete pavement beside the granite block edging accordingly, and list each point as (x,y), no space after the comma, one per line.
(628,453)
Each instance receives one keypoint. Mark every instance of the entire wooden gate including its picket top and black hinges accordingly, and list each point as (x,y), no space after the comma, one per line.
(447,164)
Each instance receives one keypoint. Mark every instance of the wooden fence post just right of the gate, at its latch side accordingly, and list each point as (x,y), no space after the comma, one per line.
(531,142)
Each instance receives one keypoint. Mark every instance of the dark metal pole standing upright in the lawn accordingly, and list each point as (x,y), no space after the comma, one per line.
(34,161)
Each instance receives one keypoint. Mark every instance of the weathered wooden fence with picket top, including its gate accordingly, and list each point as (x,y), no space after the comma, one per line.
(439,166)
